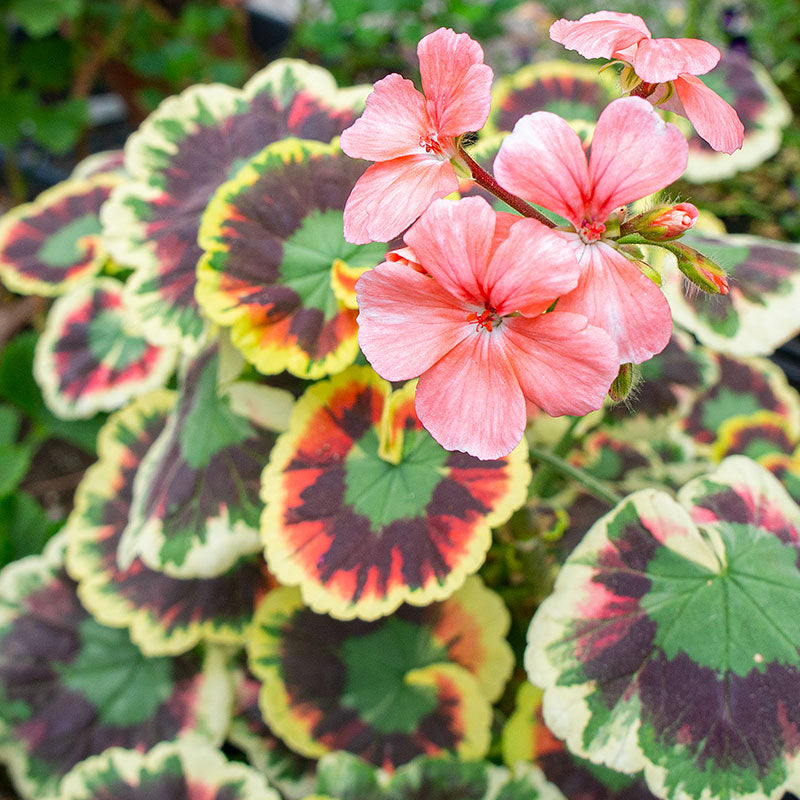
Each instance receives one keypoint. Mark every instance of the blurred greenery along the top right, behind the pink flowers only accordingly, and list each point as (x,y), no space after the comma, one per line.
(362,40)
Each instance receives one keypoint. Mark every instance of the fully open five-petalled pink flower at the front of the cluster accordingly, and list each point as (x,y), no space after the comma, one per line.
(473,326)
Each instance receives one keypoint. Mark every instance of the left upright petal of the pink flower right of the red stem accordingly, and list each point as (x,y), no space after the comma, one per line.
(543,161)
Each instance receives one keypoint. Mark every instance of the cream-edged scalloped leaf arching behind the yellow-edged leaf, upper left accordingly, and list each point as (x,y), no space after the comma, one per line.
(181,154)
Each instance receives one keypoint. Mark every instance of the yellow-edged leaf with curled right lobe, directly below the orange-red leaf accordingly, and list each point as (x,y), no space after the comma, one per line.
(386,690)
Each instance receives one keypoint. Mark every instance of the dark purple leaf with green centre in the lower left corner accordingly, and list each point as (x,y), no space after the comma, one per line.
(70,687)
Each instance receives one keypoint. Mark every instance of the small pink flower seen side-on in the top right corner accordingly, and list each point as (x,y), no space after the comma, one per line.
(666,67)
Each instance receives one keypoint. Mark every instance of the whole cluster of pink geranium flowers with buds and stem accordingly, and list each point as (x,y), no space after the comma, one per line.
(493,311)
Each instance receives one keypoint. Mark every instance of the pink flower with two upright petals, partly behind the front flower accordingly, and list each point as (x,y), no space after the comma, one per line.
(634,153)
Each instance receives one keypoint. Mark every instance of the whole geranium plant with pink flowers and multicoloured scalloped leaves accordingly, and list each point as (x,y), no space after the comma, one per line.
(381,433)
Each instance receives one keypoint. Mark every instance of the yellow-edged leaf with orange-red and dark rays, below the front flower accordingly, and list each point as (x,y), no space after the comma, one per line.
(363,530)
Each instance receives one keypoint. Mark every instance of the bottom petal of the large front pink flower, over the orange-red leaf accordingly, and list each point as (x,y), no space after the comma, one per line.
(471,400)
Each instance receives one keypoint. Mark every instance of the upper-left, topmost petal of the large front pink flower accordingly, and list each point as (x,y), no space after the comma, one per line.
(453,242)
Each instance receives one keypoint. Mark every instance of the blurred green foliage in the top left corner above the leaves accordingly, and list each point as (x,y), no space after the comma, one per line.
(53,52)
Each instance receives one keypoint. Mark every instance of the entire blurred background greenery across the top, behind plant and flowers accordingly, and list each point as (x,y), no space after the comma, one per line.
(68,67)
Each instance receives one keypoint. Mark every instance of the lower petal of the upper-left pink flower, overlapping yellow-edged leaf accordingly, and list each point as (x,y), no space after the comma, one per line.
(390,195)
